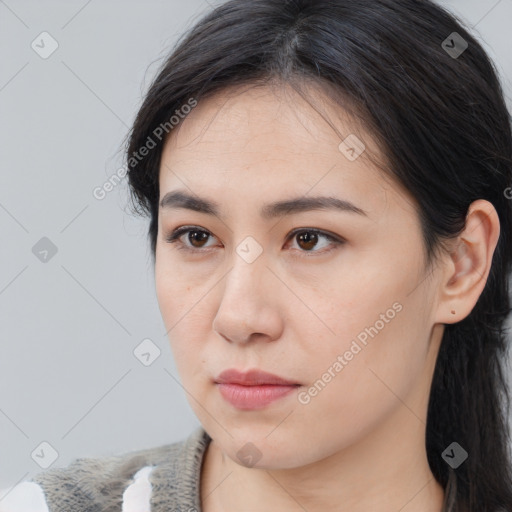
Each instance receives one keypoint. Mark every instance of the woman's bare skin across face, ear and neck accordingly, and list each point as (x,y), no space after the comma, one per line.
(357,445)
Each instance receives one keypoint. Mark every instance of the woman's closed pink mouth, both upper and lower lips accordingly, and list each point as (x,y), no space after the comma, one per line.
(254,389)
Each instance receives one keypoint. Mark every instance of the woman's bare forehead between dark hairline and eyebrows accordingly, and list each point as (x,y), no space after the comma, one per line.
(263,141)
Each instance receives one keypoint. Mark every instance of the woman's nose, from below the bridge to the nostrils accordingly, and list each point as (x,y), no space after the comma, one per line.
(249,307)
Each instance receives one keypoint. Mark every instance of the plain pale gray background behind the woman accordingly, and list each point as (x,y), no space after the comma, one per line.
(68,327)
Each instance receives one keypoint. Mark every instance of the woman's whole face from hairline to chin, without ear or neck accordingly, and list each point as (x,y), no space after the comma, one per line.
(348,320)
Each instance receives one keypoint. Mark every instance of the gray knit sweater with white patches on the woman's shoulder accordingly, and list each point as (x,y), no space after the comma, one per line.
(99,484)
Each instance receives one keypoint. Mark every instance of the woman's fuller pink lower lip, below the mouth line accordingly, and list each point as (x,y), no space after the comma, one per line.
(253,397)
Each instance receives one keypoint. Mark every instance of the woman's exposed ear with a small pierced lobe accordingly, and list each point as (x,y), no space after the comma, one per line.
(468,264)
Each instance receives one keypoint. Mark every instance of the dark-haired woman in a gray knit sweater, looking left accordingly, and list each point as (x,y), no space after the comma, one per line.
(328,185)
